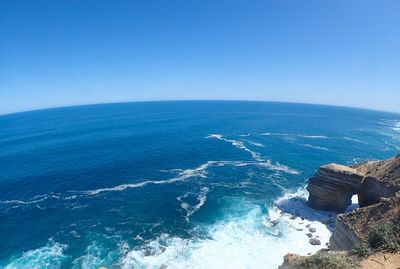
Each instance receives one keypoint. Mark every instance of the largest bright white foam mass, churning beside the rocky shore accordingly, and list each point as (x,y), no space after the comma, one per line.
(254,240)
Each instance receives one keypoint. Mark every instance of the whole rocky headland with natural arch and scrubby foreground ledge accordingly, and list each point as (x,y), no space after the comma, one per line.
(367,237)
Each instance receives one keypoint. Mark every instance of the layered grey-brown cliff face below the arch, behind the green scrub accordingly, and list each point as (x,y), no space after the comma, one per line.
(355,226)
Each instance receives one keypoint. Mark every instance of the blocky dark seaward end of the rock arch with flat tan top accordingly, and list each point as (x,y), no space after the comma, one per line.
(333,186)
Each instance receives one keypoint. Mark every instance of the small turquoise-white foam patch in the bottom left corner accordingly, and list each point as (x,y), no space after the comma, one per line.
(50,256)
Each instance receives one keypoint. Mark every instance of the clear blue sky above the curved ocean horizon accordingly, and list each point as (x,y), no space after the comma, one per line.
(56,53)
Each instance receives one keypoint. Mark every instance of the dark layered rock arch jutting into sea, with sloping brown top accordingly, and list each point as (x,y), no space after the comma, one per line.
(333,185)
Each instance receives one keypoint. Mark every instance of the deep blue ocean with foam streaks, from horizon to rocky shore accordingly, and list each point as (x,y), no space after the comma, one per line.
(173,184)
